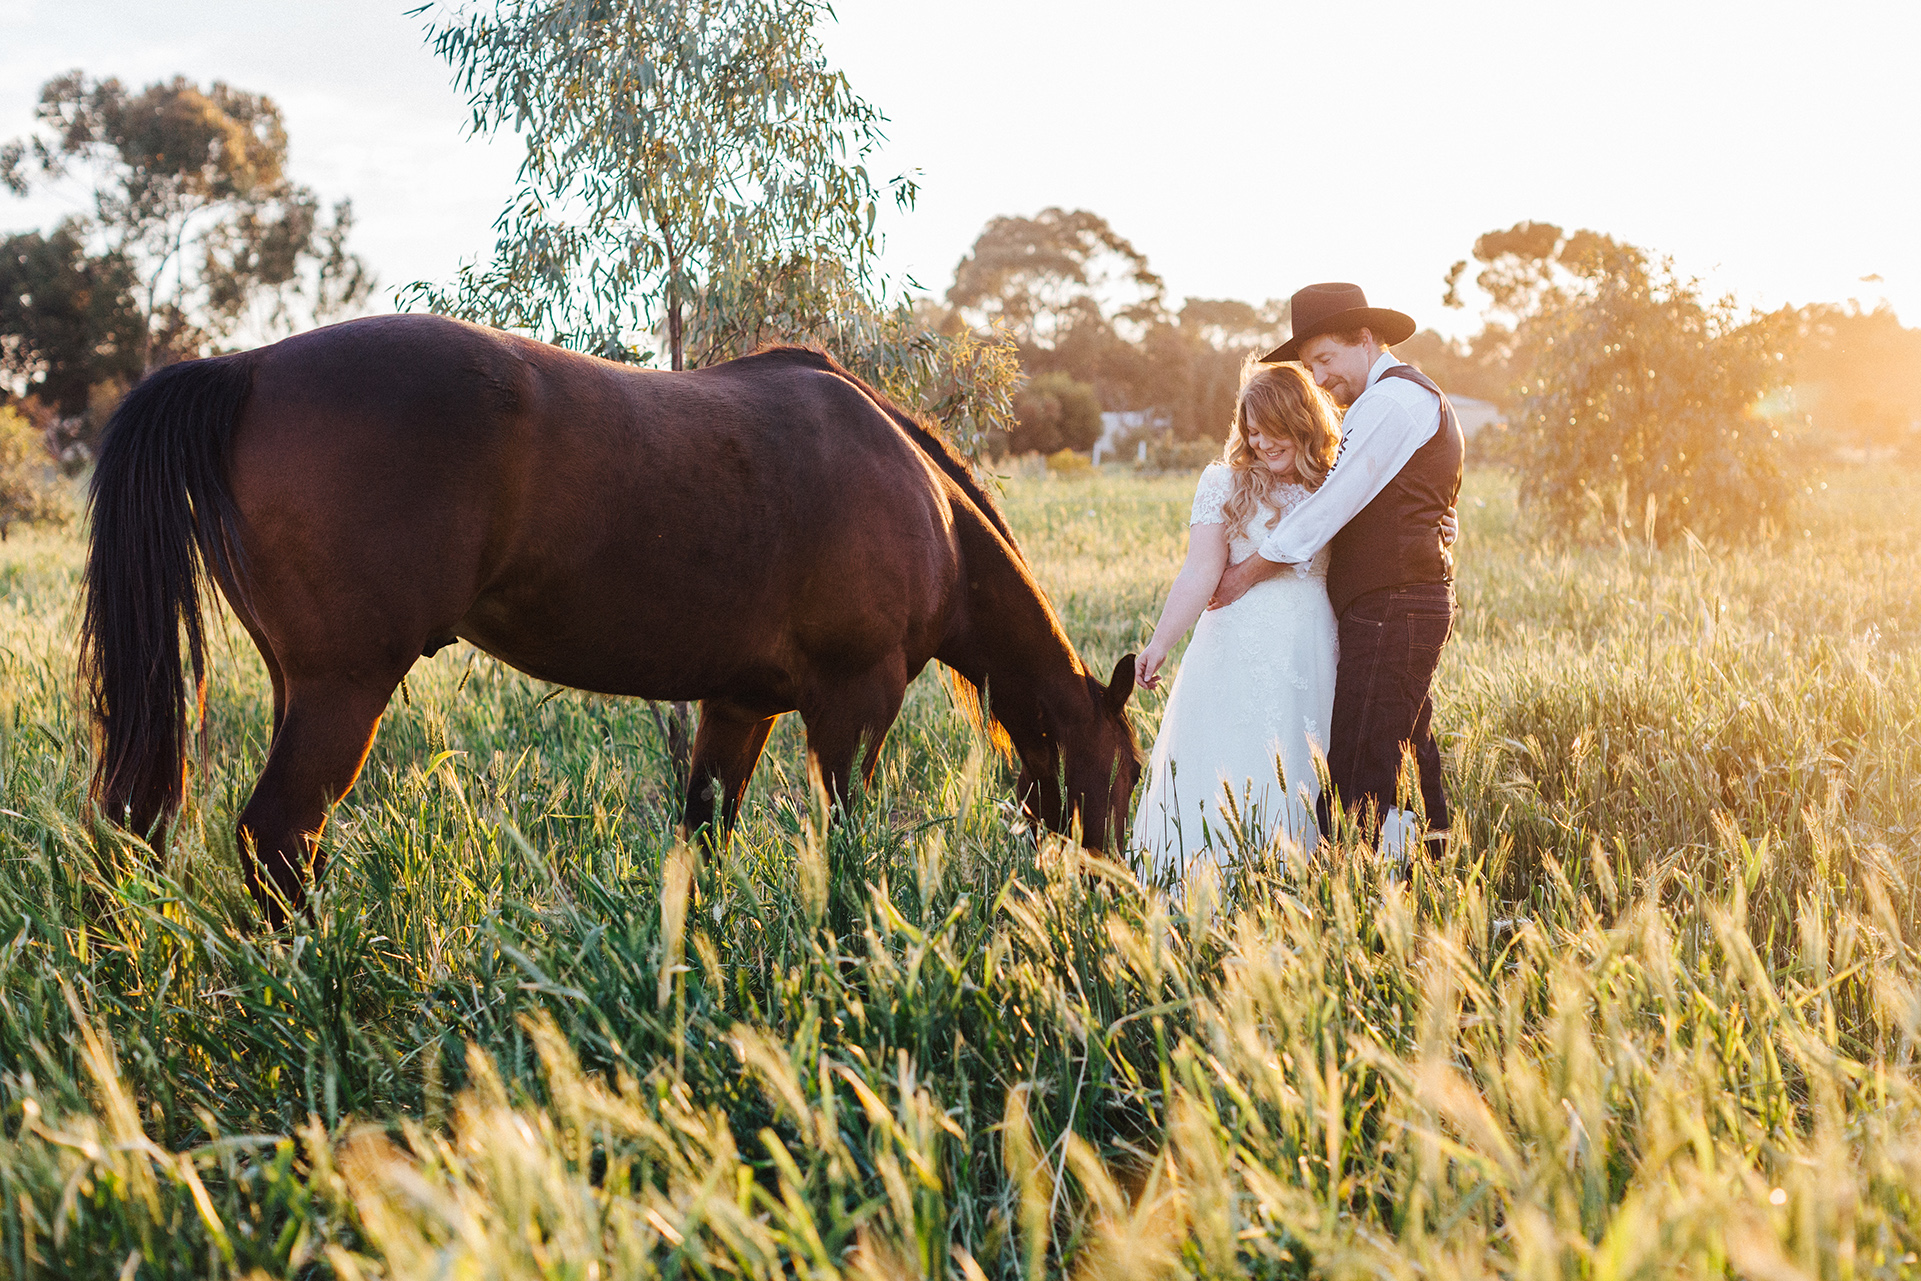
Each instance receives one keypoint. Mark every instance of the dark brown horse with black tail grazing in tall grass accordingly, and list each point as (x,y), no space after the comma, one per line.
(764,537)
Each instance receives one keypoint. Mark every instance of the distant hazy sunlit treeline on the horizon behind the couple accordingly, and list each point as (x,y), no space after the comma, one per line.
(1098,331)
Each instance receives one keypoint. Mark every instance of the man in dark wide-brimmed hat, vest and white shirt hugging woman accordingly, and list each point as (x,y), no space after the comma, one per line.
(1390,579)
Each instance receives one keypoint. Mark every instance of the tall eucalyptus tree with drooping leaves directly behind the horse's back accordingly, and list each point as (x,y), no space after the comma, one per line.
(694,183)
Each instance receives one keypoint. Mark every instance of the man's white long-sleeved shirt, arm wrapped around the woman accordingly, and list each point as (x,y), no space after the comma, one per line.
(1380,433)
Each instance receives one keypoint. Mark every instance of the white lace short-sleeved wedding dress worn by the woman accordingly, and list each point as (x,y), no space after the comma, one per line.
(1250,708)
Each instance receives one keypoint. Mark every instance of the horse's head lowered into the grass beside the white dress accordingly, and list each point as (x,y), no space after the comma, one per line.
(1096,758)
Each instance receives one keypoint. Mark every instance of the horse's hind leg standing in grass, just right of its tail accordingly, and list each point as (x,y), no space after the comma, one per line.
(318,752)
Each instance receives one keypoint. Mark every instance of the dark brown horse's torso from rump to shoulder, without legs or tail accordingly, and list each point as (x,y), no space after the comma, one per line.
(598,525)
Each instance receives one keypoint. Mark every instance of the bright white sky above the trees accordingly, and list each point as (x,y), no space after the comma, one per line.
(1246,147)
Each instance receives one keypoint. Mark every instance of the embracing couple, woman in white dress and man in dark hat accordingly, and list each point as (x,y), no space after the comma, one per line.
(1321,589)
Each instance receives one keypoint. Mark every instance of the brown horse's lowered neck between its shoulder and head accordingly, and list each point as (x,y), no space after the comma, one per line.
(1011,644)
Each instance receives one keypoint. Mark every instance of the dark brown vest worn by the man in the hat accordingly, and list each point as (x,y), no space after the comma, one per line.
(1396,541)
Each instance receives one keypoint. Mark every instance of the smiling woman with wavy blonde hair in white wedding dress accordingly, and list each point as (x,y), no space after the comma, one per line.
(1234,761)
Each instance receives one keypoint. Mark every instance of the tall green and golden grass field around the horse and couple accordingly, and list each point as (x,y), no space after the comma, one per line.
(1655,1017)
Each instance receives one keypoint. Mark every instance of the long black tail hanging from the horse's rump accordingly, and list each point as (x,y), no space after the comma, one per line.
(164,521)
